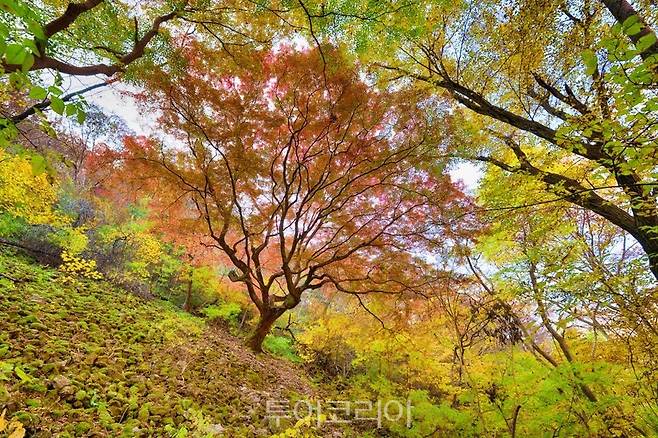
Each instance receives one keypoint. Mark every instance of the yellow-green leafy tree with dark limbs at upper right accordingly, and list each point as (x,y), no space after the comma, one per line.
(572,79)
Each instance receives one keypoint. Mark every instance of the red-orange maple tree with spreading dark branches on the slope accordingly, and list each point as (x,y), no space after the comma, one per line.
(303,177)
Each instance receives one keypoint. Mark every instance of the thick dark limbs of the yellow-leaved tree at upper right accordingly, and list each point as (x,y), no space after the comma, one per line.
(641,224)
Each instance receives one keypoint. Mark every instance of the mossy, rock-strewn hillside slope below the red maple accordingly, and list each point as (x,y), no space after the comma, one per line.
(89,359)
